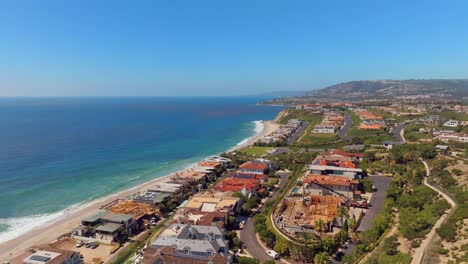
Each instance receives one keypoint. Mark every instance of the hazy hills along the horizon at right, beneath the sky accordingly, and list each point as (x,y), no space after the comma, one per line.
(420,90)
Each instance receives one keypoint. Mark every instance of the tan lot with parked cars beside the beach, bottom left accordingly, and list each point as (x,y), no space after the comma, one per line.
(102,252)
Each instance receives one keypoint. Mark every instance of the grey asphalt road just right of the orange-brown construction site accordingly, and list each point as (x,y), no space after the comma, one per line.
(381,183)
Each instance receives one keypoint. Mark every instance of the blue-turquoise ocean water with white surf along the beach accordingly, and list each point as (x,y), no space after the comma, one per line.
(61,152)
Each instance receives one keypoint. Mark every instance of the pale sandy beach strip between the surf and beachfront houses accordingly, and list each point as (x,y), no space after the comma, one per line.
(72,216)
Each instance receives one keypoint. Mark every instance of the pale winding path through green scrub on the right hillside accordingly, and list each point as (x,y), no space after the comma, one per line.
(419,252)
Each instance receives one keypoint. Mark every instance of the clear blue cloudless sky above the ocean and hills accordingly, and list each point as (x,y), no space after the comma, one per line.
(118,48)
